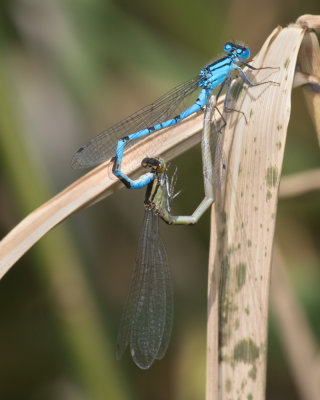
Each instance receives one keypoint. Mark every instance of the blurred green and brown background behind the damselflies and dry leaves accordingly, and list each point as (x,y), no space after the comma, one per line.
(69,69)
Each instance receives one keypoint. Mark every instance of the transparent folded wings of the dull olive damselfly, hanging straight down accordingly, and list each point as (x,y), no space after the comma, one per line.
(147,317)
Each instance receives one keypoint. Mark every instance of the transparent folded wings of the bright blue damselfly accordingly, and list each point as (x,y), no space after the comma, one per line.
(103,146)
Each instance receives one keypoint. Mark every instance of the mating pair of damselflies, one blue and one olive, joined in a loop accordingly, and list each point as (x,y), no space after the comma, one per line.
(147,318)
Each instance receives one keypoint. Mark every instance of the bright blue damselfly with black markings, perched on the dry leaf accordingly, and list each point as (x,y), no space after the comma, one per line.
(164,113)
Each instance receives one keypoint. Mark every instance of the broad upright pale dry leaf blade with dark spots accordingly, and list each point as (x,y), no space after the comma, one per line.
(255,159)
